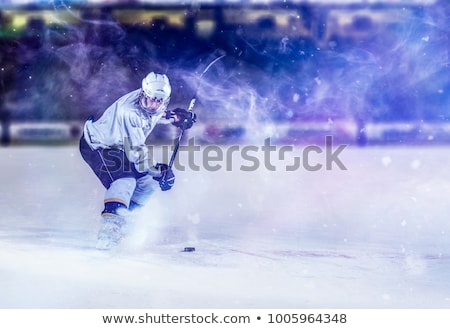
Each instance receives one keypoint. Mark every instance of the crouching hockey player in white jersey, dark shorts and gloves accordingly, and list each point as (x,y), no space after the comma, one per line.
(114,147)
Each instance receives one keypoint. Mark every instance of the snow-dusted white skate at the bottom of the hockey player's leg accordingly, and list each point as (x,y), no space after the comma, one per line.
(111,232)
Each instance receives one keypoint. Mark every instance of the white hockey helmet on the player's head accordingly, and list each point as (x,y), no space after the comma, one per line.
(156,87)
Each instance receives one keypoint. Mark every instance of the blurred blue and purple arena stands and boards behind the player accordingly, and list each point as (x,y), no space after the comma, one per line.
(366,72)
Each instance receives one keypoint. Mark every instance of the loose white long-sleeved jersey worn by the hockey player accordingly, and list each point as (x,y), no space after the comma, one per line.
(125,126)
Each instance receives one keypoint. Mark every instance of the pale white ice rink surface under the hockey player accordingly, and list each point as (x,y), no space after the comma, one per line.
(373,236)
